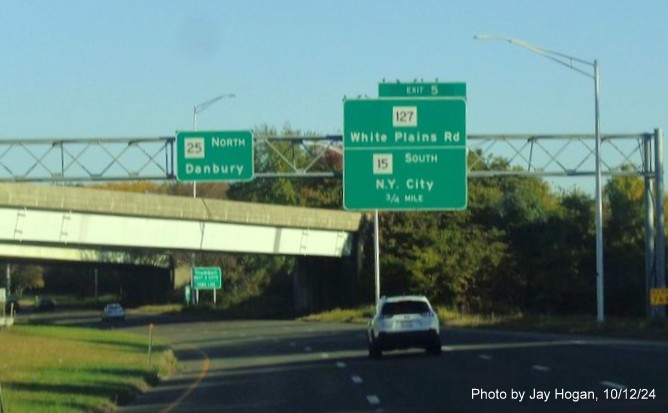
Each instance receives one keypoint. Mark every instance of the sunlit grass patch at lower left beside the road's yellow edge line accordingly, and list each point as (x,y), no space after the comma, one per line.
(48,368)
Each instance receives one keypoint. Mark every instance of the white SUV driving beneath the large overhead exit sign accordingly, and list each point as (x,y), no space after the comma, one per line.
(404,322)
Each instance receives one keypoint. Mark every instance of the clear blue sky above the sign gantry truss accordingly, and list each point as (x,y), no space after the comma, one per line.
(75,68)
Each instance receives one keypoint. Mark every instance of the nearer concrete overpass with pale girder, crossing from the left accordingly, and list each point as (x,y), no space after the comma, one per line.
(81,224)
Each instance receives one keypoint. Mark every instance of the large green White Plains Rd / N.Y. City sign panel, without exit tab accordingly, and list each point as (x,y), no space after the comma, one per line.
(404,154)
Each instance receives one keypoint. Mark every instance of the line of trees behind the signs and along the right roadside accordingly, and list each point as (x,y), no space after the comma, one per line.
(519,246)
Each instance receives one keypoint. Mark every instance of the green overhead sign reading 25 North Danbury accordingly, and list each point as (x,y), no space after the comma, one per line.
(214,156)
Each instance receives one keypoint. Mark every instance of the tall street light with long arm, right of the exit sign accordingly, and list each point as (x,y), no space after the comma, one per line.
(571,62)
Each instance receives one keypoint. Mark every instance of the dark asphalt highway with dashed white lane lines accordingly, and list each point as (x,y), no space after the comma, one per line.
(300,367)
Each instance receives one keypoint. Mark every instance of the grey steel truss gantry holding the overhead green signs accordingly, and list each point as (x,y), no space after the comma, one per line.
(530,155)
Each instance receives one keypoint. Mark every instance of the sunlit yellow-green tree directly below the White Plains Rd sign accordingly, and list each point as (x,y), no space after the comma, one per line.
(442,255)
